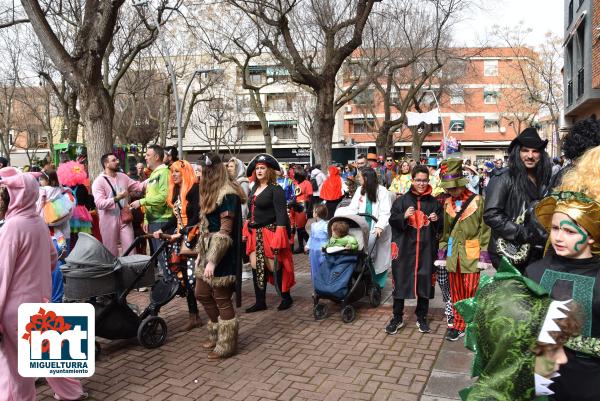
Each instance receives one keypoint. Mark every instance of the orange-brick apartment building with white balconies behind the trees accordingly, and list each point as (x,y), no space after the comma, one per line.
(484,106)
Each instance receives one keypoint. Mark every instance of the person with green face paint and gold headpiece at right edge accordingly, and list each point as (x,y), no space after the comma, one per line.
(571,269)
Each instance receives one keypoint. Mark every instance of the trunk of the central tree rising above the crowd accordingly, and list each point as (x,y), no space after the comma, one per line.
(322,133)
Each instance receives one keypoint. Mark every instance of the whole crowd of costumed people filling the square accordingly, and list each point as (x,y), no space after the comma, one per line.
(431,222)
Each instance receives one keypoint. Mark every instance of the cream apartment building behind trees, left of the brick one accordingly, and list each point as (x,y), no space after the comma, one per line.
(225,119)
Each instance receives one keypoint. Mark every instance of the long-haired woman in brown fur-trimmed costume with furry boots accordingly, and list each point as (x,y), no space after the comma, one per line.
(218,267)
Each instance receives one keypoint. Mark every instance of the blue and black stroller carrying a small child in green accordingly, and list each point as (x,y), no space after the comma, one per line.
(346,276)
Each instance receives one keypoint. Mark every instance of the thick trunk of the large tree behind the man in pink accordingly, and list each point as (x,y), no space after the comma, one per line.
(97,113)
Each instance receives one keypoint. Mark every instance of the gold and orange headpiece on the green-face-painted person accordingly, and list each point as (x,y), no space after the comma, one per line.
(581,209)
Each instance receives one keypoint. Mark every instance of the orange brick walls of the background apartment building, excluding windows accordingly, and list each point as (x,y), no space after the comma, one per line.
(509,110)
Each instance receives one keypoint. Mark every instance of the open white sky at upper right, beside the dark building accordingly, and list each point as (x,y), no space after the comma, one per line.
(539,15)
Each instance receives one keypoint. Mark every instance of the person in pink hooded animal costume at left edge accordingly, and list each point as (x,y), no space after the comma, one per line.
(27,257)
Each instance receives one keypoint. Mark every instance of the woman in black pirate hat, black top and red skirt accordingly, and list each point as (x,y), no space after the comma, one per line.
(267,232)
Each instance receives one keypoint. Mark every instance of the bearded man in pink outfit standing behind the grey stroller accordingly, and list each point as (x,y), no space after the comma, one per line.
(107,202)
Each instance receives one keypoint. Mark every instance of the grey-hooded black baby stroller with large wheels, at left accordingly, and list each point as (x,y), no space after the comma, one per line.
(93,274)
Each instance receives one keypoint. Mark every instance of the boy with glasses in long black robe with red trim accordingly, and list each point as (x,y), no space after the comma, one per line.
(416,219)
